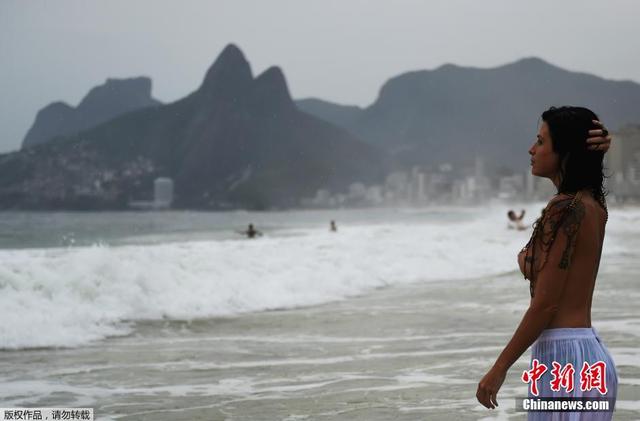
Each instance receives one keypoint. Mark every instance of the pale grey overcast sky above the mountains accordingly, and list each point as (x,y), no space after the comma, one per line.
(339,50)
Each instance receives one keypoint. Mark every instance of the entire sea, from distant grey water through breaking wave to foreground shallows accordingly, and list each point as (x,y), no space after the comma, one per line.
(175,316)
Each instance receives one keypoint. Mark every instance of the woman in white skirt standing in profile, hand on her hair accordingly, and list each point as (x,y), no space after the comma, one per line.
(561,262)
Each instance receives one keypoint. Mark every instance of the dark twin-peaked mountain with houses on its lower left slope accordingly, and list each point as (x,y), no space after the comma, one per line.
(236,141)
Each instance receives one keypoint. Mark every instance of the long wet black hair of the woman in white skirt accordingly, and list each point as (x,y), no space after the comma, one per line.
(580,168)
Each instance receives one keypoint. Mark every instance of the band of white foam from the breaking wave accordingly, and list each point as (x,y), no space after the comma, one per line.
(67,297)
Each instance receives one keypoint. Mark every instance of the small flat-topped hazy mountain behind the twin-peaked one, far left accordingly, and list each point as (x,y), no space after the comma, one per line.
(102,103)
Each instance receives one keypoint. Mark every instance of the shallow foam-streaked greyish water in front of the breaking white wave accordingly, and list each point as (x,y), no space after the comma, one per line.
(403,352)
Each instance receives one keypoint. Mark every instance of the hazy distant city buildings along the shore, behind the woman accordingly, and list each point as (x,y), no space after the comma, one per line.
(444,184)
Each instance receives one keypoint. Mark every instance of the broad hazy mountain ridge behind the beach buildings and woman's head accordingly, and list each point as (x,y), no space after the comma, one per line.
(454,113)
